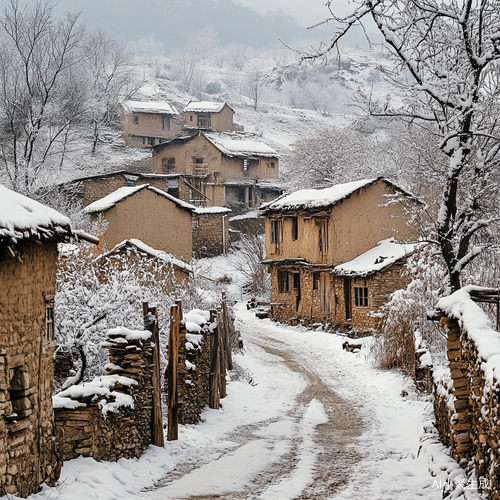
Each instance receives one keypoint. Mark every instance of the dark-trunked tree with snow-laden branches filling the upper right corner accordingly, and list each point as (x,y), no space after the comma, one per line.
(450,52)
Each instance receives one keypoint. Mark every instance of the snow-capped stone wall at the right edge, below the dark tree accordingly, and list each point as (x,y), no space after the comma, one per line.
(467,401)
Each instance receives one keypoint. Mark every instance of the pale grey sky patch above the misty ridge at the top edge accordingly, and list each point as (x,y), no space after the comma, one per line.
(307,12)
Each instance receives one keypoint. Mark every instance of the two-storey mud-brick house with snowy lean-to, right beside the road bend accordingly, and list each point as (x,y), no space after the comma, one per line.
(336,254)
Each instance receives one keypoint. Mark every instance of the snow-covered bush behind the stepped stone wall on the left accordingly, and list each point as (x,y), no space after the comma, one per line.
(93,295)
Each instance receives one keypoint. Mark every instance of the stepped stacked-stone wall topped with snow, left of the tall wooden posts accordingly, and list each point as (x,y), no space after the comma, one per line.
(110,417)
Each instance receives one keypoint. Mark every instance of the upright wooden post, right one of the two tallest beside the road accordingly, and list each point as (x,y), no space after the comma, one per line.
(172,371)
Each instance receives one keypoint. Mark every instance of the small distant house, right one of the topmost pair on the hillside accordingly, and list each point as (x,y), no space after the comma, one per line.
(208,115)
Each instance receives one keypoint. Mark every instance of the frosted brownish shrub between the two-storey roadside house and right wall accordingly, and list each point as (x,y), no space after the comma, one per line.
(404,326)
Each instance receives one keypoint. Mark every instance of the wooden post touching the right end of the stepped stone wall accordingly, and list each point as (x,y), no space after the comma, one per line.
(151,324)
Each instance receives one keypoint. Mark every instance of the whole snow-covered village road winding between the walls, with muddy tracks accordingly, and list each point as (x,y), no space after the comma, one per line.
(304,420)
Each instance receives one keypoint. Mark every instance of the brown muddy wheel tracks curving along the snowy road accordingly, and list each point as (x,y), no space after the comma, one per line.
(327,448)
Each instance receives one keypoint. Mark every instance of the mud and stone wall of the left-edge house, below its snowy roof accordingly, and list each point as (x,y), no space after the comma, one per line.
(27,453)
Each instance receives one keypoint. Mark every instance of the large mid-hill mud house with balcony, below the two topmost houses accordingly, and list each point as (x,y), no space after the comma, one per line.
(222,170)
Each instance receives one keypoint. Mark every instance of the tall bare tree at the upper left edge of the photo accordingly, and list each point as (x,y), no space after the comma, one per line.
(37,108)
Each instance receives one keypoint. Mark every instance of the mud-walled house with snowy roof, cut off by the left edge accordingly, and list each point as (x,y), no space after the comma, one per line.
(29,234)
